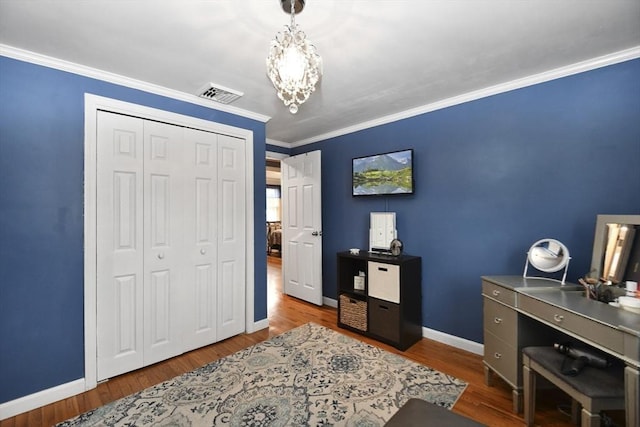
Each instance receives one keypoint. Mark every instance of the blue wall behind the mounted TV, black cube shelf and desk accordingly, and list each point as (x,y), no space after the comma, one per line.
(492,177)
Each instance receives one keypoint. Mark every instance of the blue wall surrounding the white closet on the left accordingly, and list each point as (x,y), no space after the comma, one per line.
(41,223)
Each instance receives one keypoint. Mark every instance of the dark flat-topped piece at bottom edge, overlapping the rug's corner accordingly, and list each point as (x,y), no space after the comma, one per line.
(419,413)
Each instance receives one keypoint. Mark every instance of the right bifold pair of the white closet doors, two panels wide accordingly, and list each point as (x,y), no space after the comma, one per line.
(216,237)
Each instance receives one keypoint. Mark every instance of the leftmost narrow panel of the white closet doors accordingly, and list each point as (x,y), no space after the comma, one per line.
(119,266)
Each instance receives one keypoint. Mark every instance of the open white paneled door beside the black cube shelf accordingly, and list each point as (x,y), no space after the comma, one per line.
(302,227)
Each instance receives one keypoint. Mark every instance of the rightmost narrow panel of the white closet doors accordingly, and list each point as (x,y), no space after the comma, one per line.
(231,236)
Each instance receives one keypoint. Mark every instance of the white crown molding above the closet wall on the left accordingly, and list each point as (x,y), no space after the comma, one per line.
(81,70)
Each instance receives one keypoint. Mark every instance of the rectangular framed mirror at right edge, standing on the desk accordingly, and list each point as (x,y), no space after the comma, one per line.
(616,249)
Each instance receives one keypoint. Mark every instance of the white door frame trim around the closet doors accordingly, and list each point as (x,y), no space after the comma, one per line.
(93,103)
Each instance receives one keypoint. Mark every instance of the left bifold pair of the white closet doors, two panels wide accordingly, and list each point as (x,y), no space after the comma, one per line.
(140,251)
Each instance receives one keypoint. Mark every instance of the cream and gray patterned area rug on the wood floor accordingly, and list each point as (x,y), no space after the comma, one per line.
(309,375)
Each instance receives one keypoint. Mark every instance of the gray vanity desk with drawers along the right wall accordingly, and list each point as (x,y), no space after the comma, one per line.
(520,312)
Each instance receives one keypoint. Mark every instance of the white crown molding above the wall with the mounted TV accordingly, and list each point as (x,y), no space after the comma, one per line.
(580,67)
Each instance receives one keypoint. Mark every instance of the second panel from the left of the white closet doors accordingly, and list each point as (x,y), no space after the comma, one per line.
(164,255)
